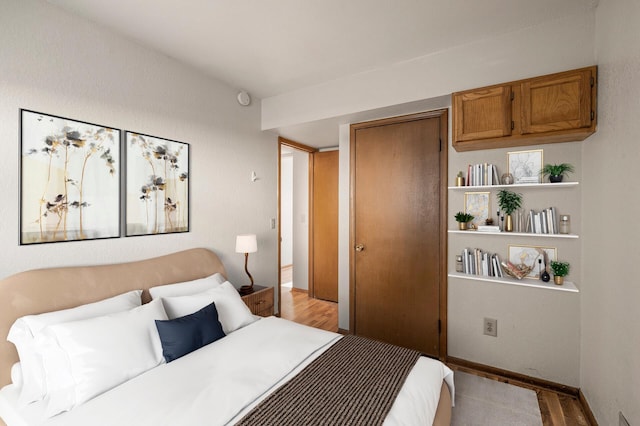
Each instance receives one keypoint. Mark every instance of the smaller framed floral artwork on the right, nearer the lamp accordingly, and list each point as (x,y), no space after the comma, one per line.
(157,187)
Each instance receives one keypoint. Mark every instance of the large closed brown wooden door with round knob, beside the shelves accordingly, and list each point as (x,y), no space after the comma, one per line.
(397,230)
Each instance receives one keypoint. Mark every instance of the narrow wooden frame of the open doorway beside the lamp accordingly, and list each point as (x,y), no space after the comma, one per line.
(310,150)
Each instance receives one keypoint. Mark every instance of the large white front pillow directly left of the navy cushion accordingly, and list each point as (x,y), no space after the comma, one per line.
(86,358)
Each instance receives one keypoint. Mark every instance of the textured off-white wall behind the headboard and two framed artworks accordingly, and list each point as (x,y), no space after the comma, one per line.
(56,63)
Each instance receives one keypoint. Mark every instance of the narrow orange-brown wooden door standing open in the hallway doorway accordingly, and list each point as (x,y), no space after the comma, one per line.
(324,233)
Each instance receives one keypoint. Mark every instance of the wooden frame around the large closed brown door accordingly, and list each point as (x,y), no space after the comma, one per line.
(442,115)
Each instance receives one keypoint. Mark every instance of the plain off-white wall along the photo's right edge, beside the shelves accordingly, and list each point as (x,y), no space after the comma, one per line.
(610,367)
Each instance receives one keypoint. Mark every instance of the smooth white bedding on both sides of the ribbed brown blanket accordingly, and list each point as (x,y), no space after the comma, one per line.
(222,381)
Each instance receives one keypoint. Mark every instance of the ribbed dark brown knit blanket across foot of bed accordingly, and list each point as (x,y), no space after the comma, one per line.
(354,382)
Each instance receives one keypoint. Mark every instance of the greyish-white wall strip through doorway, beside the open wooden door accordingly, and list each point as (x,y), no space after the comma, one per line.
(300,220)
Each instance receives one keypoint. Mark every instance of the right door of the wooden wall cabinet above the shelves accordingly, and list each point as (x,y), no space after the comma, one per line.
(557,102)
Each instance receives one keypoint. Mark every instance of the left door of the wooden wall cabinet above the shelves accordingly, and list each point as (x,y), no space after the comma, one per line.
(482,113)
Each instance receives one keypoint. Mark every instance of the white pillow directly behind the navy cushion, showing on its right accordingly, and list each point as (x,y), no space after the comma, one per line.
(232,311)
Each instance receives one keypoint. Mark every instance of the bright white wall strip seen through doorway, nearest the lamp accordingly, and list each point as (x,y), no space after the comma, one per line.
(286,209)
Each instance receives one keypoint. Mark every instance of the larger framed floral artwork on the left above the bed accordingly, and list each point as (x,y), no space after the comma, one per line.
(69,179)
